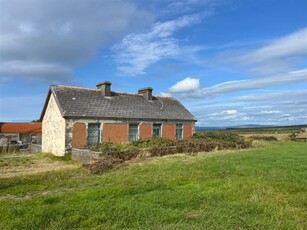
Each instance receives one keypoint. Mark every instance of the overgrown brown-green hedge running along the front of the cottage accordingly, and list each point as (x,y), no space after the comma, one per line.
(115,154)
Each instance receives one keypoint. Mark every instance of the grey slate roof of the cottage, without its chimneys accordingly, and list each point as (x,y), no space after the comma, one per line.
(75,102)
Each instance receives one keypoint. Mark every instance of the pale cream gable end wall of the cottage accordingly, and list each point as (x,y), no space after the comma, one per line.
(53,129)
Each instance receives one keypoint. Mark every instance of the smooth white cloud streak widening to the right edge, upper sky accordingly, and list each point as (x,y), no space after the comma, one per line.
(279,55)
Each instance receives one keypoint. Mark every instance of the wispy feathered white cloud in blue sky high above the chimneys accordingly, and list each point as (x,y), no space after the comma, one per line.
(137,51)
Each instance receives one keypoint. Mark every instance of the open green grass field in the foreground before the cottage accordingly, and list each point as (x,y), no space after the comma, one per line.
(261,188)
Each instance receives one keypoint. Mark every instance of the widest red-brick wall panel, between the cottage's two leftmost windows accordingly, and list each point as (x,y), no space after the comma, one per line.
(115,132)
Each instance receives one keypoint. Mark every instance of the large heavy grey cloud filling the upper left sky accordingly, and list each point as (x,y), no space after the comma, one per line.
(44,39)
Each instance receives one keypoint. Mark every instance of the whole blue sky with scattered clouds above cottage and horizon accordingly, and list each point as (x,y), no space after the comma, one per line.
(230,62)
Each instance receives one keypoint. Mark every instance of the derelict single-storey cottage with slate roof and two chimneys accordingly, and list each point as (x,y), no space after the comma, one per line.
(77,117)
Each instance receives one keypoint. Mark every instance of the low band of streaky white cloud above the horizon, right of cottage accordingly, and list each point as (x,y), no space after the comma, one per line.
(285,107)
